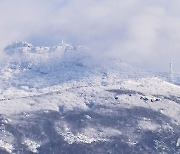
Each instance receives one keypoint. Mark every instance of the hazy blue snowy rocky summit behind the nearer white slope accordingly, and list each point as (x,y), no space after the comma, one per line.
(54,65)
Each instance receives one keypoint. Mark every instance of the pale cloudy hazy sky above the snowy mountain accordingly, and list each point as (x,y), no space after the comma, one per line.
(144,33)
